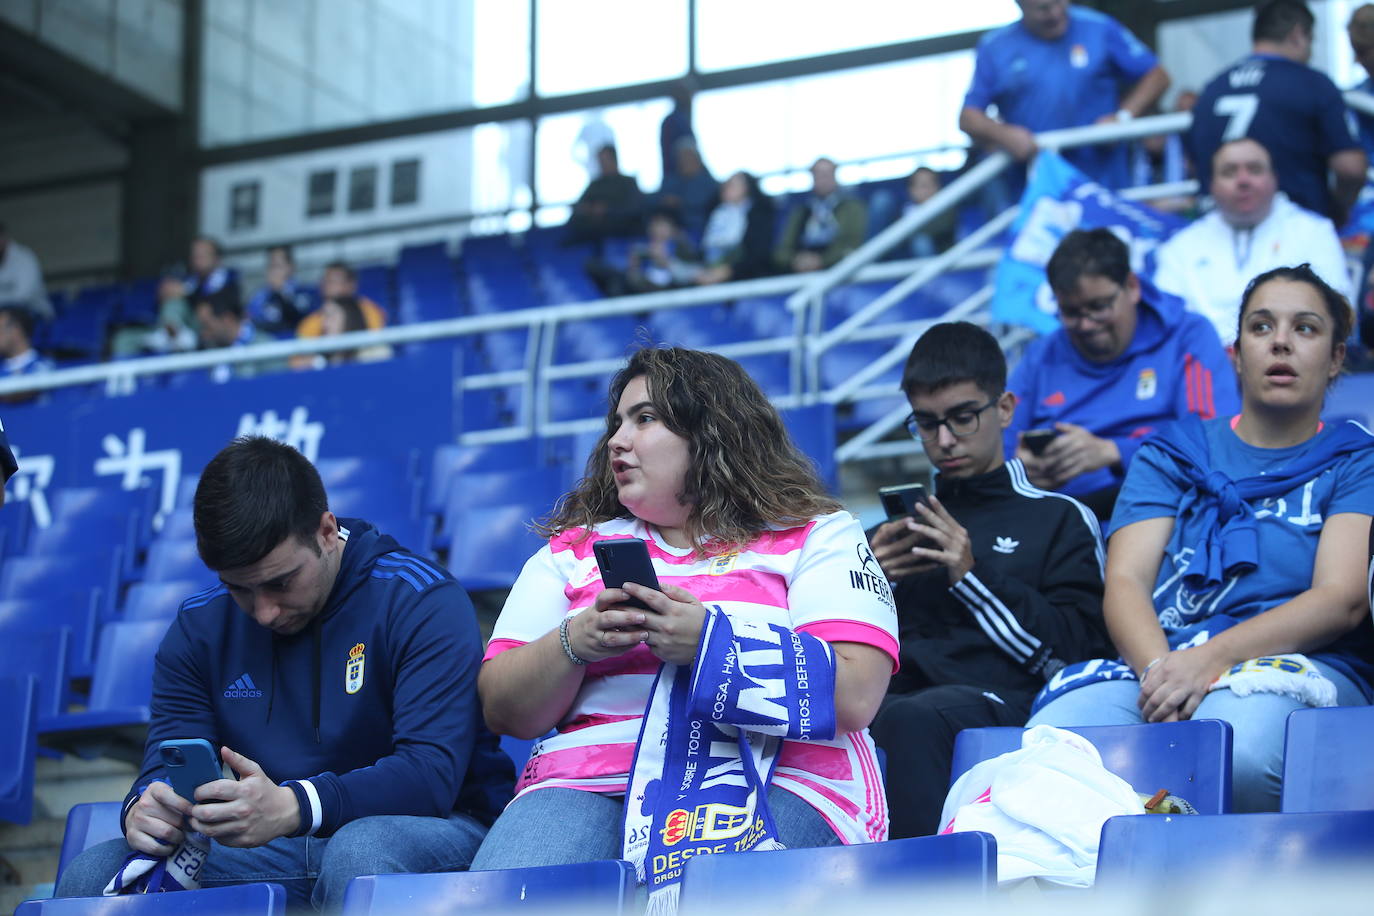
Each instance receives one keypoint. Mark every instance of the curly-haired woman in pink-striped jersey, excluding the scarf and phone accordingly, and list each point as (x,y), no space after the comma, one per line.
(699,465)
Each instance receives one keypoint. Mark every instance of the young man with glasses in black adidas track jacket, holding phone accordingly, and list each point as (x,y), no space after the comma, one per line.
(998,584)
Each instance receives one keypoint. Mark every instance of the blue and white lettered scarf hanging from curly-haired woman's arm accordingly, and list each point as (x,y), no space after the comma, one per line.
(710,744)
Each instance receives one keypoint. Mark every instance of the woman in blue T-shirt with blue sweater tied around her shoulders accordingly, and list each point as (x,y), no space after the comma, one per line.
(1237,556)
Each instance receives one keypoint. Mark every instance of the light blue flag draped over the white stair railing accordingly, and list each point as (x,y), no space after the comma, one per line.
(1059,200)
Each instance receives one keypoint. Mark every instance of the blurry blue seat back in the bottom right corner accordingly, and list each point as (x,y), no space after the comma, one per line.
(1141,851)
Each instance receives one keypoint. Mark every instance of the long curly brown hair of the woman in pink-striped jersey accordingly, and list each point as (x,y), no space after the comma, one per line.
(744,473)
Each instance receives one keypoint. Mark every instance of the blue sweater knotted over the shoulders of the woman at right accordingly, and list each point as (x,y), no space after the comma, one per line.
(1229,543)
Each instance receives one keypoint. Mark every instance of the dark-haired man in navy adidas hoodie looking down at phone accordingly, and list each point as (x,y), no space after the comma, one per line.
(336,674)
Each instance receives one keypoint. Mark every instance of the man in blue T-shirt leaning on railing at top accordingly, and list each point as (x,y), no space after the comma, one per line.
(1060,67)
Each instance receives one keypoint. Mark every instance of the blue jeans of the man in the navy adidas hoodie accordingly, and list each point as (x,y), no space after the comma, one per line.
(315,871)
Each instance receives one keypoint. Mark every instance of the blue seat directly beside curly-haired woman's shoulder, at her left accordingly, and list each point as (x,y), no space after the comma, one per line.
(490,545)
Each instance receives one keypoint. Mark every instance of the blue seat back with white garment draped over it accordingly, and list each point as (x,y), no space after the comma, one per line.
(1192,760)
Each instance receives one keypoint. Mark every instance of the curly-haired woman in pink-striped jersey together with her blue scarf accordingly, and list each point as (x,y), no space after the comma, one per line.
(767,583)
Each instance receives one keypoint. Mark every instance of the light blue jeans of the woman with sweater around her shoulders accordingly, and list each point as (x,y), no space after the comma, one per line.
(1258,724)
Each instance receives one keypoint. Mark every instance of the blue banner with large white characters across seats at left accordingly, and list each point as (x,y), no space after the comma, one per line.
(164,432)
